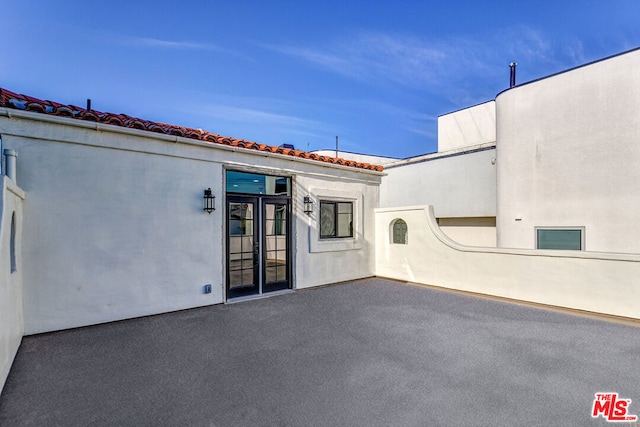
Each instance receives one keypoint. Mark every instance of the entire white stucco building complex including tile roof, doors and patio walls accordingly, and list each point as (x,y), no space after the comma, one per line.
(106,217)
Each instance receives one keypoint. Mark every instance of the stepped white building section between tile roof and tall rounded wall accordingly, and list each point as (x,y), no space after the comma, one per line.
(459,181)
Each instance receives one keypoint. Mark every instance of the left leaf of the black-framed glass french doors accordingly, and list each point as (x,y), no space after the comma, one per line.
(242,247)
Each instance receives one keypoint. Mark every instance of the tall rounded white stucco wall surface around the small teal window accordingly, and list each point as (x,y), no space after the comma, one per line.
(568,155)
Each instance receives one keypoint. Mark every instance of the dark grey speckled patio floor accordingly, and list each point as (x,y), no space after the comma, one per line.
(364,353)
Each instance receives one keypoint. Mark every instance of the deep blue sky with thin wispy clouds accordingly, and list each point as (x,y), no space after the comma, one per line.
(376,73)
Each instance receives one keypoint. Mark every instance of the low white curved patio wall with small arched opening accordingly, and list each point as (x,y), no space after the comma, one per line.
(596,282)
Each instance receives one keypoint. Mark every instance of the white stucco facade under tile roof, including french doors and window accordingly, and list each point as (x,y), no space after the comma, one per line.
(114,225)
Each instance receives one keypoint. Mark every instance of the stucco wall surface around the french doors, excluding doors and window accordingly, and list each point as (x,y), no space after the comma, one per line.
(115,229)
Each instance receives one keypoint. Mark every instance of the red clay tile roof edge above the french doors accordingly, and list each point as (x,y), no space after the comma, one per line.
(9,99)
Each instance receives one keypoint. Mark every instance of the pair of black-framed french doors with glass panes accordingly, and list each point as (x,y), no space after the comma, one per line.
(258,244)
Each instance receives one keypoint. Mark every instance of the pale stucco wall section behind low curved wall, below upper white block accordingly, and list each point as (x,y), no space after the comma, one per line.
(457,185)
